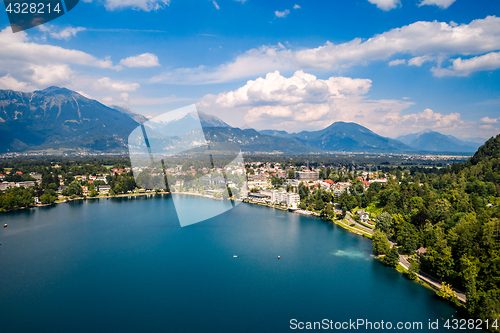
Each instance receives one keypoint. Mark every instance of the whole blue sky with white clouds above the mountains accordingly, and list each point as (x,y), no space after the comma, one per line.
(394,66)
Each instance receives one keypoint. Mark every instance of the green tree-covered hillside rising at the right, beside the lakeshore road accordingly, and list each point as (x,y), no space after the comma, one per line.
(455,214)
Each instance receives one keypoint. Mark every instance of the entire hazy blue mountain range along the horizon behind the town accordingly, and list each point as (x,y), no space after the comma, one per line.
(58,118)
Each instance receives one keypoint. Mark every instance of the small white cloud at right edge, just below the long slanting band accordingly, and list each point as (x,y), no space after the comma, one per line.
(464,67)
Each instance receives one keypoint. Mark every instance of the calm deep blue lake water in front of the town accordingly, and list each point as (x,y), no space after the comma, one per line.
(125,265)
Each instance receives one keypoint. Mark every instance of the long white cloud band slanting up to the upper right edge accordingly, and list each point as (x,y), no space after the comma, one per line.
(424,41)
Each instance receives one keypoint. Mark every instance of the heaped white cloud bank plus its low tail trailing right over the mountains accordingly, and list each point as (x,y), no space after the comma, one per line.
(304,102)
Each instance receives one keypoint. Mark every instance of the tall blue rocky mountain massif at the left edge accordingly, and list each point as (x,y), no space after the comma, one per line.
(59,118)
